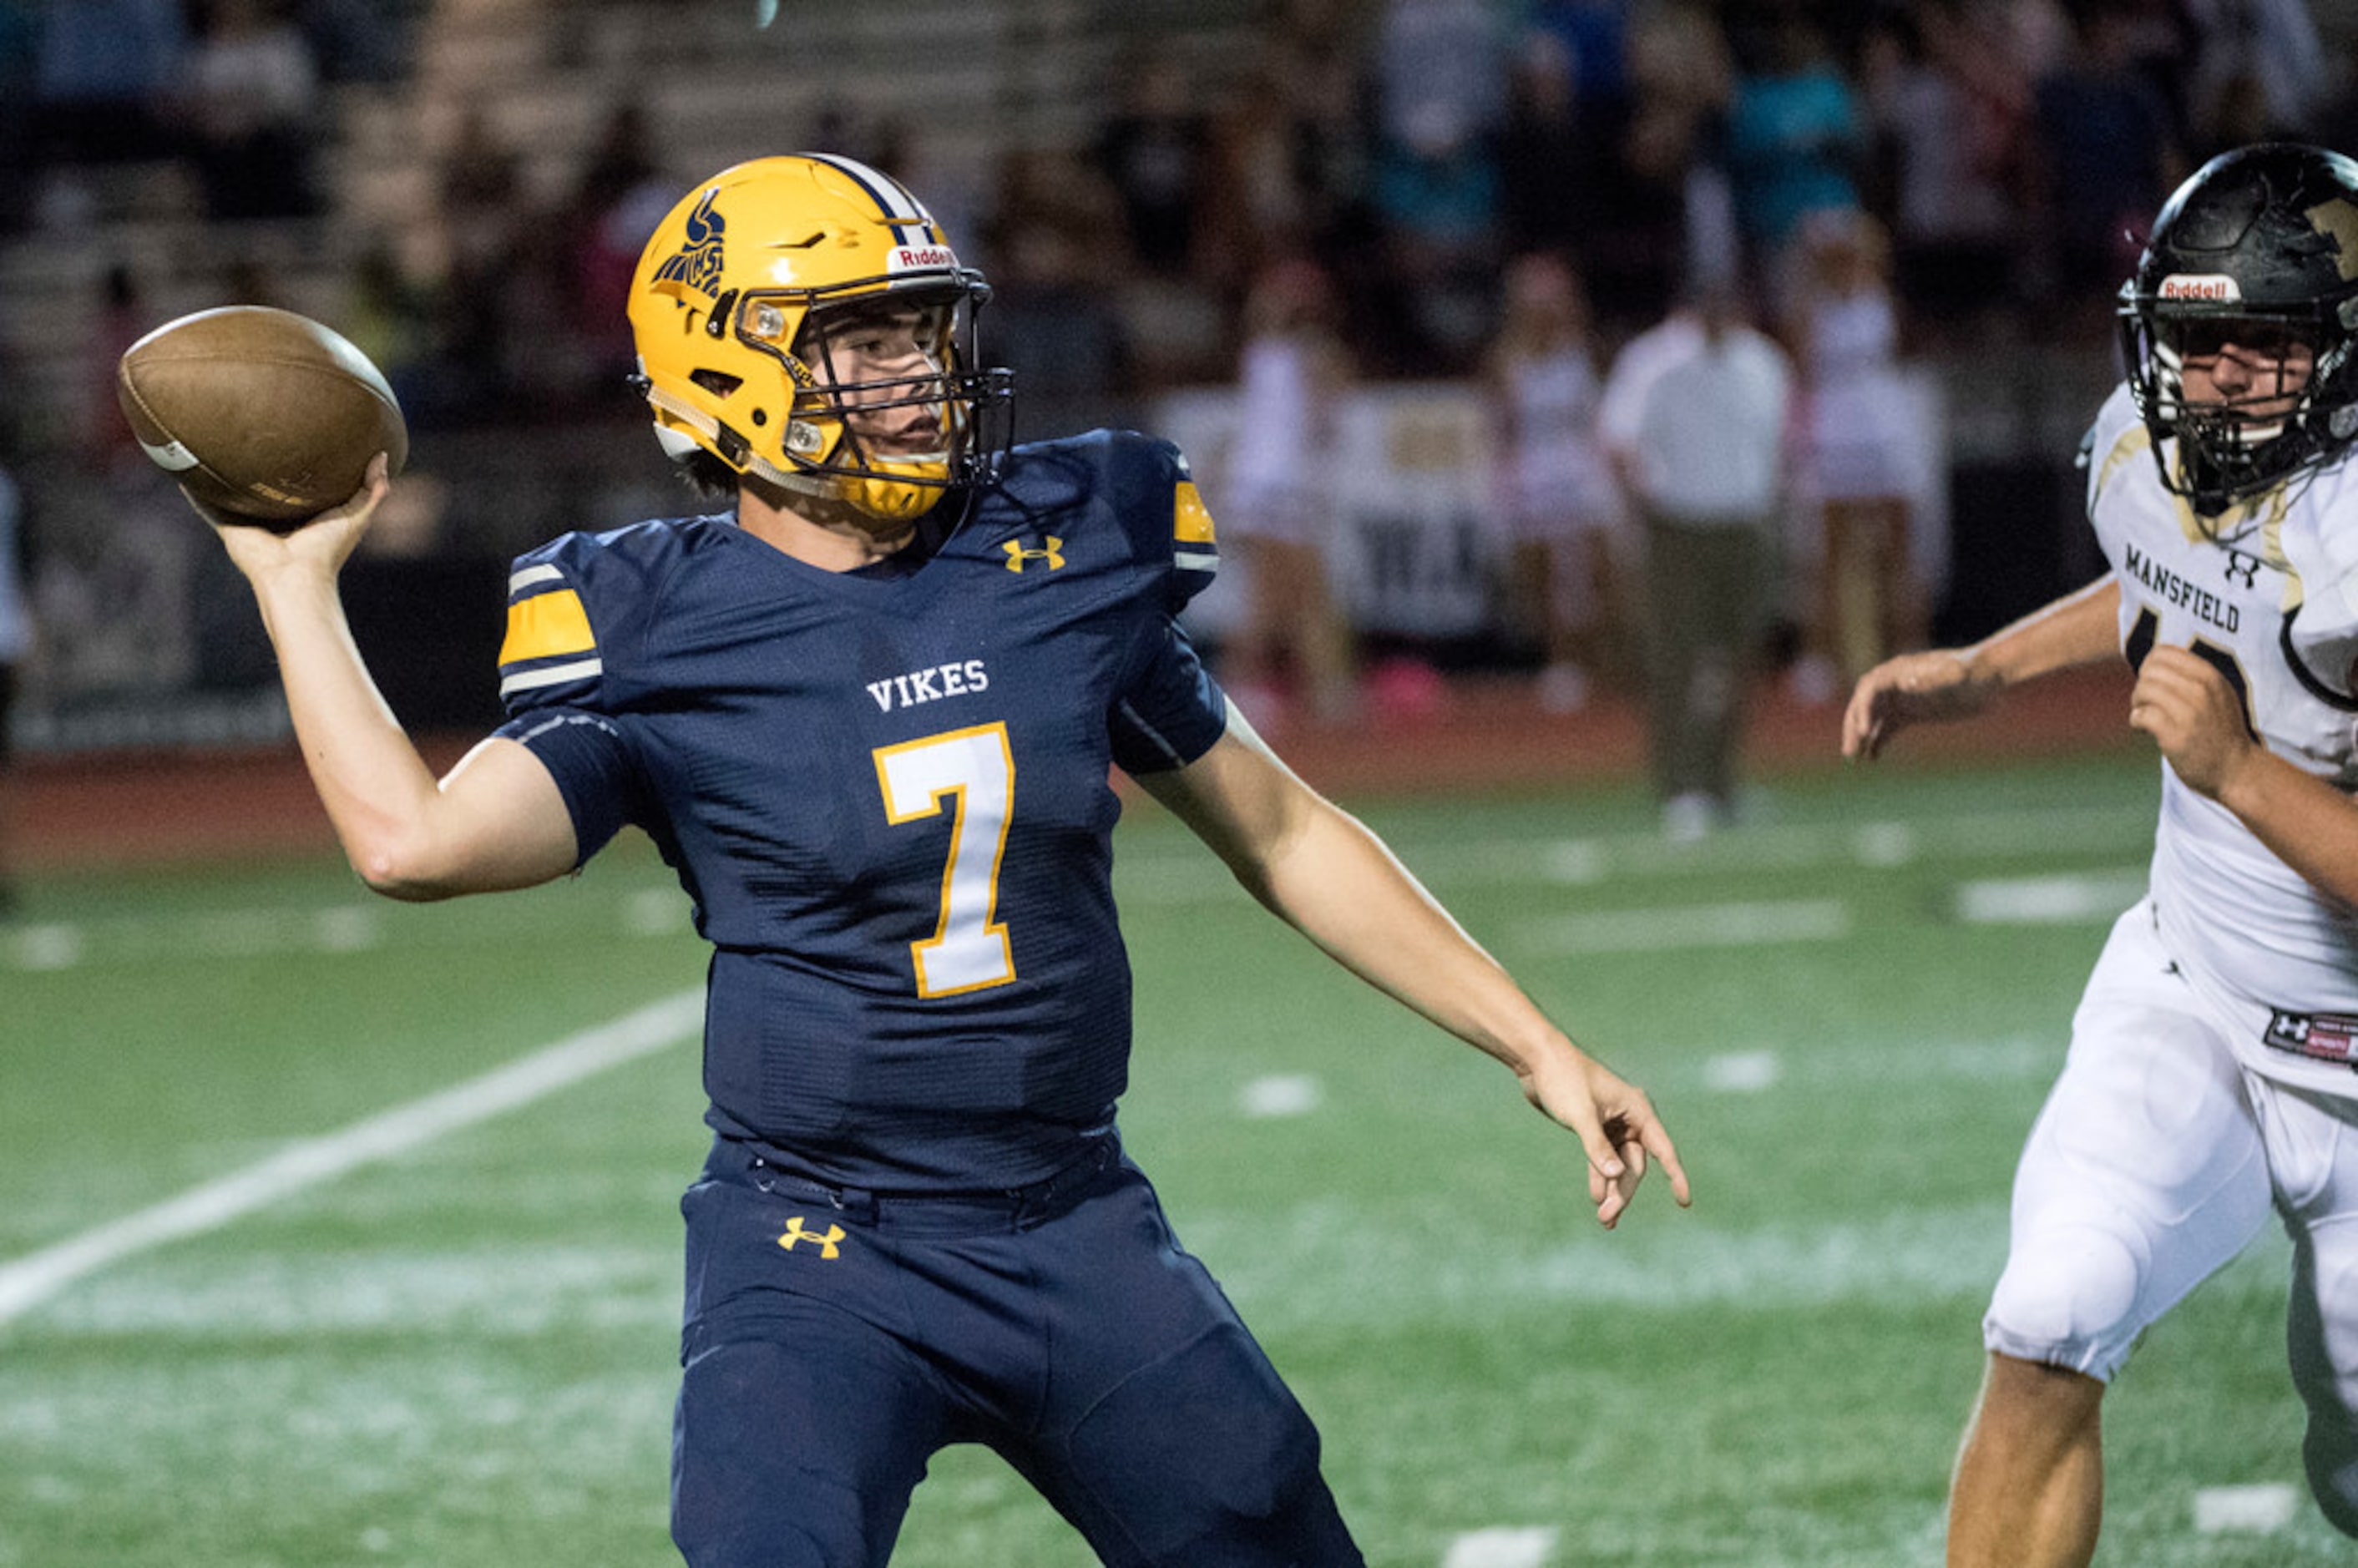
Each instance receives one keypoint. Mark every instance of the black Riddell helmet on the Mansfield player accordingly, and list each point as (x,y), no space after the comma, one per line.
(2267,239)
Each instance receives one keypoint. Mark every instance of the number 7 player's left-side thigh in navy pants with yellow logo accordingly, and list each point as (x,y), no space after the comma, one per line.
(803,1421)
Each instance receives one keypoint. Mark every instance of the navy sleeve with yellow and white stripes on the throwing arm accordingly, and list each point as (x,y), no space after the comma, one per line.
(553,680)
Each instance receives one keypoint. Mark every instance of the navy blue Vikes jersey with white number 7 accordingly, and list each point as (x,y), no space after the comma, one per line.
(888,796)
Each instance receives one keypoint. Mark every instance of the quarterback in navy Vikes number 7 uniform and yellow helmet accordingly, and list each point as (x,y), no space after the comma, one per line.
(869,709)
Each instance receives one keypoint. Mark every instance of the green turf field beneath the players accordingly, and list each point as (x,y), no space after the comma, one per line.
(466,1350)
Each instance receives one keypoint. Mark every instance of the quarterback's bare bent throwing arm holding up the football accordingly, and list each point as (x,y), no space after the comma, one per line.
(494,824)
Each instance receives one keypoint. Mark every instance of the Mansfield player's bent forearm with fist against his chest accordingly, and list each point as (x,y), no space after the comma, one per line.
(2199,723)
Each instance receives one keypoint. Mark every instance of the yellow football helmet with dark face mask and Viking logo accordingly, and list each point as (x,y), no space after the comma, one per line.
(723,312)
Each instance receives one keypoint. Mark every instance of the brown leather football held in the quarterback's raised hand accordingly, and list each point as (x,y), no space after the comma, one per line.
(258,411)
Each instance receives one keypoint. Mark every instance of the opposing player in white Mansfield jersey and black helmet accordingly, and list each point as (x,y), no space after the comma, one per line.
(2213,1069)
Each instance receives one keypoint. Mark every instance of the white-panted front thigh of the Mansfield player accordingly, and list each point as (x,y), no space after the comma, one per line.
(2142,1175)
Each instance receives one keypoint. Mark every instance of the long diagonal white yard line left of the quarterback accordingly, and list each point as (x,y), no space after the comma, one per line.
(34,1279)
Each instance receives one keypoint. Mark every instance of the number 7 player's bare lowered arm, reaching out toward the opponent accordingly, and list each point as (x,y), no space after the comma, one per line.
(1333,881)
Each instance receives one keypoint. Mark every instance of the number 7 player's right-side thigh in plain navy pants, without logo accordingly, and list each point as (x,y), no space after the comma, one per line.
(1175,1439)
